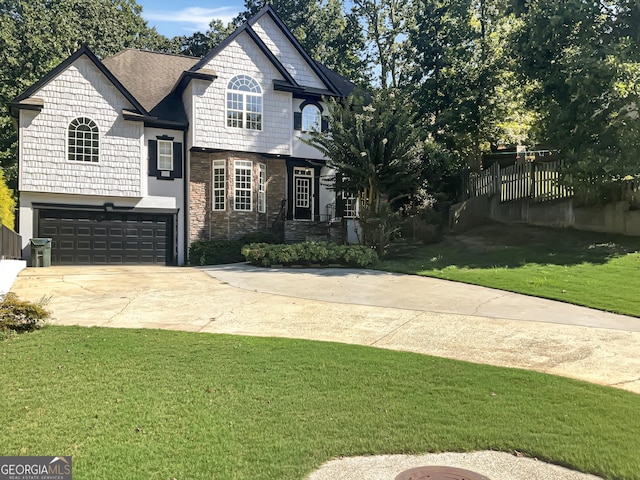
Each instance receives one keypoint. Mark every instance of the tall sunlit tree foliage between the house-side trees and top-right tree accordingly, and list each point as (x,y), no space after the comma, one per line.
(463,76)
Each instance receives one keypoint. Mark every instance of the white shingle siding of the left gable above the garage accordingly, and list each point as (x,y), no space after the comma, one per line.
(80,91)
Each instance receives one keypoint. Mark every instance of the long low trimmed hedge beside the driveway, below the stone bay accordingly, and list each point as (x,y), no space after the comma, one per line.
(309,253)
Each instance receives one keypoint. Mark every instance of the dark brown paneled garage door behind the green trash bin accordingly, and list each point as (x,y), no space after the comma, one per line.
(105,238)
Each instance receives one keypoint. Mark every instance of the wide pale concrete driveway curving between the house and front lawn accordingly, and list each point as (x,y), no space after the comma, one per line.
(384,310)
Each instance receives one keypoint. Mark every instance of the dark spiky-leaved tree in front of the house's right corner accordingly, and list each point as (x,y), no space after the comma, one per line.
(374,145)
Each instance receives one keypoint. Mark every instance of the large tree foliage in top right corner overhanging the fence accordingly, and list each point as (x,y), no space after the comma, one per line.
(585,58)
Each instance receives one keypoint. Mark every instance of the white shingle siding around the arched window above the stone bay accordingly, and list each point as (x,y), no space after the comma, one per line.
(242,56)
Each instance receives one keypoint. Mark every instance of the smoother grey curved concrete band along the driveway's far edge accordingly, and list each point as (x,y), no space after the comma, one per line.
(412,292)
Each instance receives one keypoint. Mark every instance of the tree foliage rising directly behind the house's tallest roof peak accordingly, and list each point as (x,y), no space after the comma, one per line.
(324,28)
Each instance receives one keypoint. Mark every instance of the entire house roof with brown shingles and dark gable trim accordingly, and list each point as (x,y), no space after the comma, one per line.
(153,82)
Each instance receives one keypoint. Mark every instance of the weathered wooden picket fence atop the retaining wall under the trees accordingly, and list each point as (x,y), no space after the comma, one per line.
(537,181)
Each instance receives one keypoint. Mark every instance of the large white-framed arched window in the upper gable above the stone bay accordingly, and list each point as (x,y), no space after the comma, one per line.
(244,103)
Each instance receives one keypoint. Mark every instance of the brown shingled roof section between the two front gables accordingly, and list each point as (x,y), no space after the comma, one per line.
(151,77)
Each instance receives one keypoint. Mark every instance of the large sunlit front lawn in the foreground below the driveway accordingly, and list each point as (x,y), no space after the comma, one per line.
(142,404)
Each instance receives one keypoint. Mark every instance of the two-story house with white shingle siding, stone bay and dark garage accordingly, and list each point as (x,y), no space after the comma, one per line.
(131,158)
